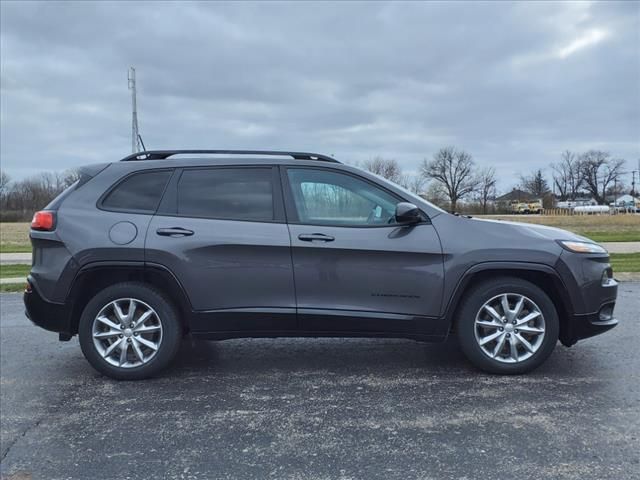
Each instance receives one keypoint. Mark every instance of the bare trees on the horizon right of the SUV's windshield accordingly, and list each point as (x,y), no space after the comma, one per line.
(452,175)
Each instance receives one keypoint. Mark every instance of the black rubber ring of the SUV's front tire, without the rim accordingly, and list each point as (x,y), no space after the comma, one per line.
(466,324)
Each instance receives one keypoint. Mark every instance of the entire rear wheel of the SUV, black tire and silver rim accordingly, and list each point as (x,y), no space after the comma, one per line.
(155,324)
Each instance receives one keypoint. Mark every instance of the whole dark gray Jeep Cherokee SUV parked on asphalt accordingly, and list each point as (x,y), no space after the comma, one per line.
(226,244)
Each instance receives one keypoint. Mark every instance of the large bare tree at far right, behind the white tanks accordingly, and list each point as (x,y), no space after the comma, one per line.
(599,171)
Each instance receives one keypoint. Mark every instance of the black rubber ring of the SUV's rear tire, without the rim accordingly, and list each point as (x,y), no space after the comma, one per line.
(171,331)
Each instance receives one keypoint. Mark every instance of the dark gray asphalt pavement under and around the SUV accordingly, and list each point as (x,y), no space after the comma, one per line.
(321,409)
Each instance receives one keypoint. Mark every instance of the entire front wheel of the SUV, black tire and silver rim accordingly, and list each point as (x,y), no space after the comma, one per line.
(536,306)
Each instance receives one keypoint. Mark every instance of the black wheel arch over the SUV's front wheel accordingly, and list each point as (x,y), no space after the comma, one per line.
(543,276)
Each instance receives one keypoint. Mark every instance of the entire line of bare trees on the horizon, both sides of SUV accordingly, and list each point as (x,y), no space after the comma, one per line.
(449,177)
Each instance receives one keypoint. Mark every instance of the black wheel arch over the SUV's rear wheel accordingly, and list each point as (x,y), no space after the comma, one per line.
(94,277)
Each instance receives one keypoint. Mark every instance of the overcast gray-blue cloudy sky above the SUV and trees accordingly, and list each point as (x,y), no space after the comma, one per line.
(513,84)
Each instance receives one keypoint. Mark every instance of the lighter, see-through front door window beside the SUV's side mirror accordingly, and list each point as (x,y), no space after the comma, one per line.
(325,197)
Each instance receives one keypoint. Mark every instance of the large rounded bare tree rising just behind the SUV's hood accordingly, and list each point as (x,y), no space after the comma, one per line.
(453,169)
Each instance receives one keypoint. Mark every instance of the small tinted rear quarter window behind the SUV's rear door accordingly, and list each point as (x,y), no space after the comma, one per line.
(140,192)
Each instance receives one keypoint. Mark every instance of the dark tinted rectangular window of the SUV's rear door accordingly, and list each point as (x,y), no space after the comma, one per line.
(226,193)
